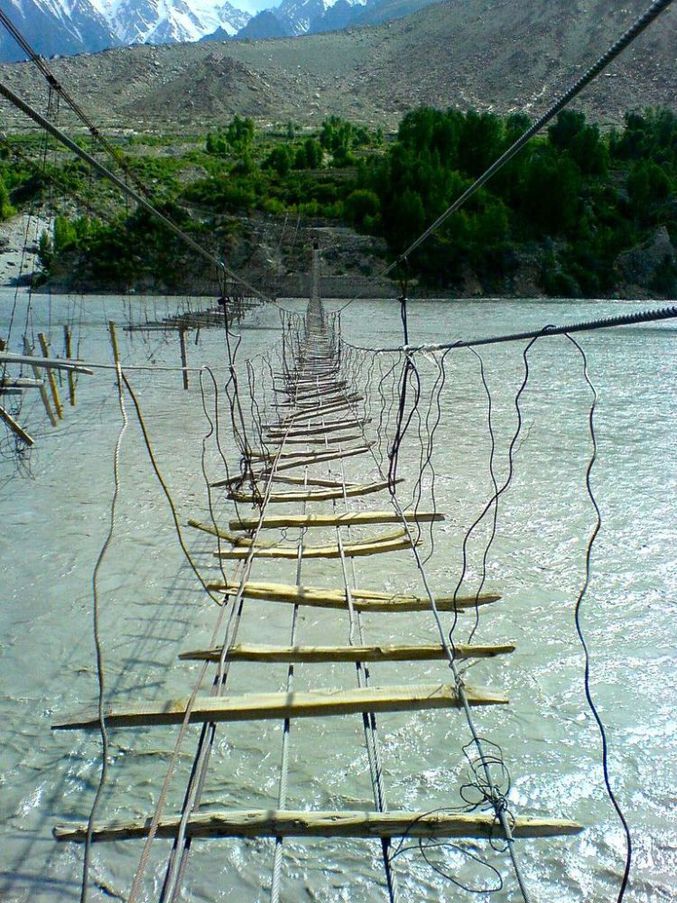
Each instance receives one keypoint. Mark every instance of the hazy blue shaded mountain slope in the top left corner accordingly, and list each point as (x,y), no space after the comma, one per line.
(54,26)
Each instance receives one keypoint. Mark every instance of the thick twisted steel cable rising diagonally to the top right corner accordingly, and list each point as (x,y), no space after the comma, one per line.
(638,26)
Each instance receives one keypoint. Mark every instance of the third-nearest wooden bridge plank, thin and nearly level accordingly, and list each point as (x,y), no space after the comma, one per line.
(382,652)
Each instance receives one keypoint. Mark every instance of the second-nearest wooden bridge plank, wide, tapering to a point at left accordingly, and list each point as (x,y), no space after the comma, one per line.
(267,706)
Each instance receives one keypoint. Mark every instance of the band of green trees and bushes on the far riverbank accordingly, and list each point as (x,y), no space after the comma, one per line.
(573,207)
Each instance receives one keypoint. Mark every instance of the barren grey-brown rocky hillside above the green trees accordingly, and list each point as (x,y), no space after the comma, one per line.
(501,55)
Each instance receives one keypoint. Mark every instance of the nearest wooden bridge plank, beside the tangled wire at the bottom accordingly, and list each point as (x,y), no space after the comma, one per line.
(325,823)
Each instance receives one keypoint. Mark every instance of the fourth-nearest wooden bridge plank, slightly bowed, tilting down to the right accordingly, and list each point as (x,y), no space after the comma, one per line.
(363,599)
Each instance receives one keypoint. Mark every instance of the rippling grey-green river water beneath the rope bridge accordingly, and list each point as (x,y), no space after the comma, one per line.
(55,513)
